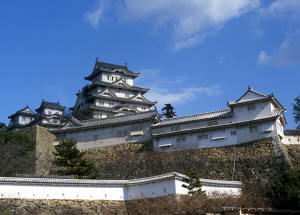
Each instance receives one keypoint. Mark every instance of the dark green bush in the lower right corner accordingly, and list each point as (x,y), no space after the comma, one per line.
(284,190)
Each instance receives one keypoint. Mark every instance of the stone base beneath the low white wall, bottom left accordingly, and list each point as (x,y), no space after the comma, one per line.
(61,207)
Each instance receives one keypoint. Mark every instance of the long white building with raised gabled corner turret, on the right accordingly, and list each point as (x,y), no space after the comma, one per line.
(252,117)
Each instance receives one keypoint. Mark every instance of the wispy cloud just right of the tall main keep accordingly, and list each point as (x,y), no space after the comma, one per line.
(172,90)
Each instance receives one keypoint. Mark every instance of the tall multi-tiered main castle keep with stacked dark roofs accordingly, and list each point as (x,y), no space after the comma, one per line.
(111,93)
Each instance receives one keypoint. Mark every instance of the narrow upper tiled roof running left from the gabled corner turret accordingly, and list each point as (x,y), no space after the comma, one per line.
(196,117)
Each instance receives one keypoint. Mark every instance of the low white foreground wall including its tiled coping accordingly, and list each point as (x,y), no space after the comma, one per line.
(119,190)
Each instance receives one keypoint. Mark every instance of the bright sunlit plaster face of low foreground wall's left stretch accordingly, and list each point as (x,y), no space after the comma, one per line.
(61,192)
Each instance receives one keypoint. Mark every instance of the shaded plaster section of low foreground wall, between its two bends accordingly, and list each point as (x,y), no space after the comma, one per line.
(151,190)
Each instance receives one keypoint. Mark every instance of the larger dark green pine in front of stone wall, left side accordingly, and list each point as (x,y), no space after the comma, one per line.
(72,160)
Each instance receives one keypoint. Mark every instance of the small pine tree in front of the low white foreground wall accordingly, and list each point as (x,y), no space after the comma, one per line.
(194,184)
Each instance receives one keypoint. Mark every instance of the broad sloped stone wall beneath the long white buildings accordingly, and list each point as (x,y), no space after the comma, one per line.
(255,161)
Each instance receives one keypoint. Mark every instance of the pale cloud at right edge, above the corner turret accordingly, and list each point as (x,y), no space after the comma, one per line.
(287,54)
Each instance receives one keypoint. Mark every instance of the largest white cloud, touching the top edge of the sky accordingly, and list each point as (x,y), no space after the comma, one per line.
(191,20)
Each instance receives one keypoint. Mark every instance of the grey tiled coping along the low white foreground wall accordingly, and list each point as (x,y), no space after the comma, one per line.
(90,182)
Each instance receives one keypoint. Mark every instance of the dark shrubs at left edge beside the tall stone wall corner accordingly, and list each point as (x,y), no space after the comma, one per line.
(16,152)
